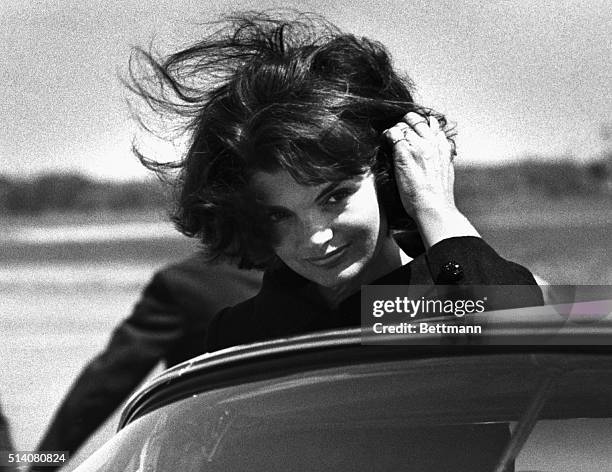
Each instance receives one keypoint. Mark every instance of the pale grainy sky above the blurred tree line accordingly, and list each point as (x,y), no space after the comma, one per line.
(519,78)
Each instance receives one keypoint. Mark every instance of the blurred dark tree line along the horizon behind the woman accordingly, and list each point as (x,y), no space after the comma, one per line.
(531,178)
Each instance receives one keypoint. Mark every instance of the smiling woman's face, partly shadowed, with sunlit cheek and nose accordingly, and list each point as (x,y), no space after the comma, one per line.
(327,233)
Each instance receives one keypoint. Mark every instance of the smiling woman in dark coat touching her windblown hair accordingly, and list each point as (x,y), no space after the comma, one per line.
(309,157)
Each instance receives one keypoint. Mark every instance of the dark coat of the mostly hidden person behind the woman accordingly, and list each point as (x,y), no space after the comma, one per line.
(168,324)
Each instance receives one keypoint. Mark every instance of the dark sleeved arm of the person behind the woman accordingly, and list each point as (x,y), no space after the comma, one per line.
(134,348)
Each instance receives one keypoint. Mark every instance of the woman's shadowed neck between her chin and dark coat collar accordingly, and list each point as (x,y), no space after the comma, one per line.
(388,258)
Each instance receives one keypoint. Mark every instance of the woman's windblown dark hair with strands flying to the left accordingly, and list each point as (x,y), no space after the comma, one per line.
(263,94)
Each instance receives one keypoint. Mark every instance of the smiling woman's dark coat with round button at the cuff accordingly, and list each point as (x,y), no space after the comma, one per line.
(287,304)
